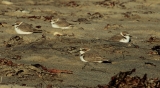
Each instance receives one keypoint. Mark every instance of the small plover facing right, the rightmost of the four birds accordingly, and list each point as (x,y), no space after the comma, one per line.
(122,37)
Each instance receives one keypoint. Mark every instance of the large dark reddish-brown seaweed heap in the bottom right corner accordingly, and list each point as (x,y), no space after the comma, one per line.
(124,80)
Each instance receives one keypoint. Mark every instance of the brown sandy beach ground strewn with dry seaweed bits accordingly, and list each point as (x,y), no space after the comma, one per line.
(90,18)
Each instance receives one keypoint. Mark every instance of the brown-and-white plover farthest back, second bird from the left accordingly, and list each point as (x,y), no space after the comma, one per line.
(60,23)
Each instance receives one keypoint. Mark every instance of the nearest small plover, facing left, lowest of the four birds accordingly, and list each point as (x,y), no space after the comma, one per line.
(86,55)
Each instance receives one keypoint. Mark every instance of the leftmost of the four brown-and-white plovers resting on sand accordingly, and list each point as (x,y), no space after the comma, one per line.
(24,28)
